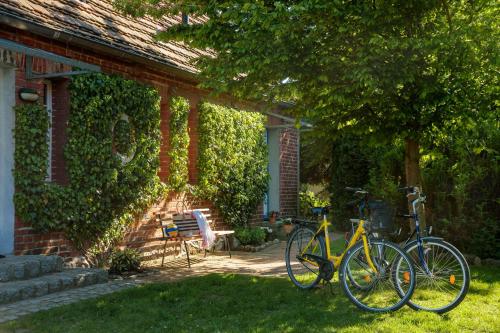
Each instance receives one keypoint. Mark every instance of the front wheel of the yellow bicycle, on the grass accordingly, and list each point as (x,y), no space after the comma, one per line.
(386,289)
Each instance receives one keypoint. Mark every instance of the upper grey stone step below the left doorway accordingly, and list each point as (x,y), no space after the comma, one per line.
(26,267)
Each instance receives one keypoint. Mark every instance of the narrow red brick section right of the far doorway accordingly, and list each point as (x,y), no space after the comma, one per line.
(288,172)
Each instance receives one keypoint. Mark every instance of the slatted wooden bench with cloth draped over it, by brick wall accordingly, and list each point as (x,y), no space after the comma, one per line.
(188,230)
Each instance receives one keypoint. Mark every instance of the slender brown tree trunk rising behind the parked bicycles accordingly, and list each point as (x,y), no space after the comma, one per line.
(412,173)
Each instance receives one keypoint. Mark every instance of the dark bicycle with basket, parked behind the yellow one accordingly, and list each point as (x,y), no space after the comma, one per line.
(443,275)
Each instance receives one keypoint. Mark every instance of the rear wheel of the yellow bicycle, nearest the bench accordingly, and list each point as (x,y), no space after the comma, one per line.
(303,272)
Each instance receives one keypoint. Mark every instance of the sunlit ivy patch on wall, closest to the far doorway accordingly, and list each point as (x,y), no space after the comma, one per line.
(232,161)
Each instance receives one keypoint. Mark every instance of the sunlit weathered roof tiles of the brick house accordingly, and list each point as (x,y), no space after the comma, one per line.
(97,20)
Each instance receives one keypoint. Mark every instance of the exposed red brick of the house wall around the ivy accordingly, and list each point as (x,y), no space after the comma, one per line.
(145,228)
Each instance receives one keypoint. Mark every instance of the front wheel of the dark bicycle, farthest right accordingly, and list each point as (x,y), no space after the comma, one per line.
(447,282)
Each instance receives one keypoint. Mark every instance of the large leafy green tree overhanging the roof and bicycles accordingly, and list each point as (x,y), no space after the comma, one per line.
(384,68)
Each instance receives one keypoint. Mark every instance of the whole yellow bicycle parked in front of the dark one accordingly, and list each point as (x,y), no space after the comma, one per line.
(376,275)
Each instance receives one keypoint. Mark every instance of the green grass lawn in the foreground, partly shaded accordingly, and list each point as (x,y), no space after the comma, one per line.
(239,303)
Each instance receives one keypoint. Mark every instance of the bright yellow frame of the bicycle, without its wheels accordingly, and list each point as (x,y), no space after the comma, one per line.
(336,260)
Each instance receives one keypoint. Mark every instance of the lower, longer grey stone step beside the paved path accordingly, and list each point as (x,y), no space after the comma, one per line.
(67,279)
